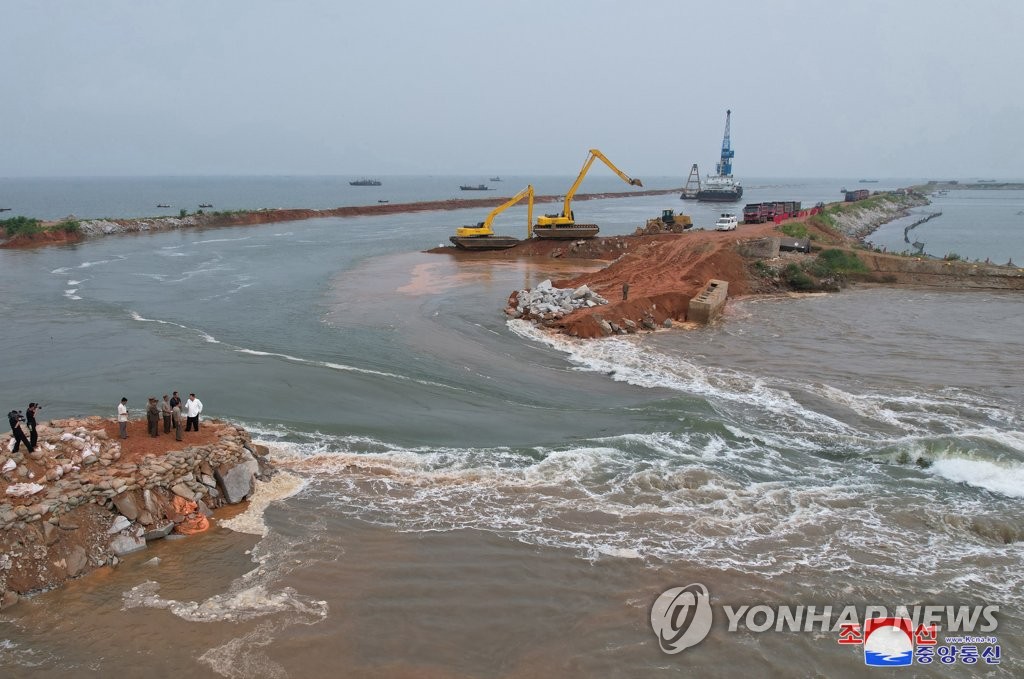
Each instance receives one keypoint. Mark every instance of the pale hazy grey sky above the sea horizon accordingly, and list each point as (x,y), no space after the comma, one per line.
(909,89)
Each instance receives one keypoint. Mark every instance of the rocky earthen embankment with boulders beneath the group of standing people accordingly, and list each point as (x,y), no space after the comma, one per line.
(79,502)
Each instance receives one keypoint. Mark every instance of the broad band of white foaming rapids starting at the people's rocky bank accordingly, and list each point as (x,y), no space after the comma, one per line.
(722,502)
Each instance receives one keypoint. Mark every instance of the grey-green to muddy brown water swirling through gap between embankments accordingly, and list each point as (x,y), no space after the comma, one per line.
(465,496)
